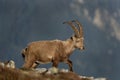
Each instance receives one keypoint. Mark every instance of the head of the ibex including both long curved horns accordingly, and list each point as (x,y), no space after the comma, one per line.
(78,36)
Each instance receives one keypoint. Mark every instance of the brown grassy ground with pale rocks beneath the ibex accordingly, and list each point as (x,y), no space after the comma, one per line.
(9,72)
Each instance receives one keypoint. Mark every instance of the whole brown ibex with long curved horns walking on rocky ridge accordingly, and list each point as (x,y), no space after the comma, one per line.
(54,51)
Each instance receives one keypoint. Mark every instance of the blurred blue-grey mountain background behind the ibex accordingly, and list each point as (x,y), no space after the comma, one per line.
(24,21)
